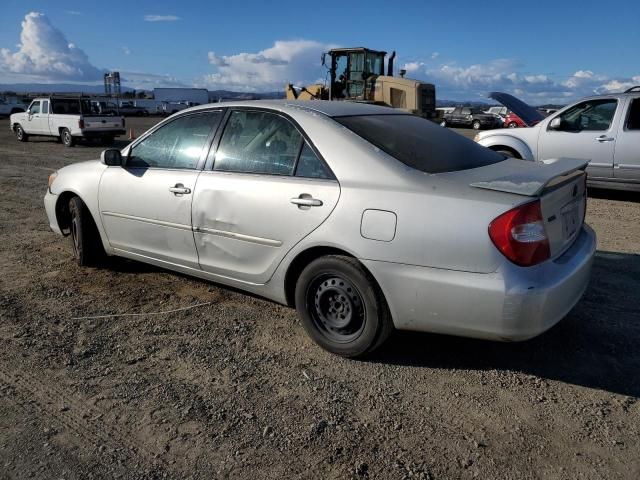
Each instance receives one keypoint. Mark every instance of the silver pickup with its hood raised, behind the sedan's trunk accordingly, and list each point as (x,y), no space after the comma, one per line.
(603,129)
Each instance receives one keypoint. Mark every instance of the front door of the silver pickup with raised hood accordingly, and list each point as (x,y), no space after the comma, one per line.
(588,131)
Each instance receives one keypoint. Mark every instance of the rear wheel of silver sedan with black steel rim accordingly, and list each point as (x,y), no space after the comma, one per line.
(342,307)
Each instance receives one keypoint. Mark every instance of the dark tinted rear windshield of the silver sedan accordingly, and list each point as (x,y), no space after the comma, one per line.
(420,143)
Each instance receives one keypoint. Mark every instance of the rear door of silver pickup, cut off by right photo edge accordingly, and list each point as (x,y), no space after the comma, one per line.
(627,154)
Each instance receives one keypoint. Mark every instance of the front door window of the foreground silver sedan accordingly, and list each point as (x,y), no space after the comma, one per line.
(177,144)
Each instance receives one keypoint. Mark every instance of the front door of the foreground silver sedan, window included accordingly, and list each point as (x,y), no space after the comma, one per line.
(145,206)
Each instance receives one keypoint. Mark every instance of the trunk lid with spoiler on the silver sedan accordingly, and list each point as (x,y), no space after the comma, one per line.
(559,184)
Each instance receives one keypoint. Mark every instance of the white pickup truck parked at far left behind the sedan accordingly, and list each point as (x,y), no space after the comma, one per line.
(67,119)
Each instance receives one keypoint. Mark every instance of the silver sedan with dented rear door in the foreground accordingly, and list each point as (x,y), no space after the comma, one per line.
(362,218)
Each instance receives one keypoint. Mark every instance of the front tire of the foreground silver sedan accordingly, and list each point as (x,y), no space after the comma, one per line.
(85,239)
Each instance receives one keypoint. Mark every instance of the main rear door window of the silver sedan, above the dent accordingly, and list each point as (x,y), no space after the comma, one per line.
(258,142)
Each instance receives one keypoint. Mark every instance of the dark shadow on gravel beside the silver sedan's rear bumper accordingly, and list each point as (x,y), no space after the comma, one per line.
(597,345)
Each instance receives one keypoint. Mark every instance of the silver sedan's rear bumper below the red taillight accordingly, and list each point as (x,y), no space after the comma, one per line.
(511,304)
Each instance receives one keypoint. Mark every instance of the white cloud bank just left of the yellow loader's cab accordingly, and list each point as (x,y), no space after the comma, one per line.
(293,61)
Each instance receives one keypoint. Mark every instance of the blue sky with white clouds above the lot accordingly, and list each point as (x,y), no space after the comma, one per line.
(541,51)
